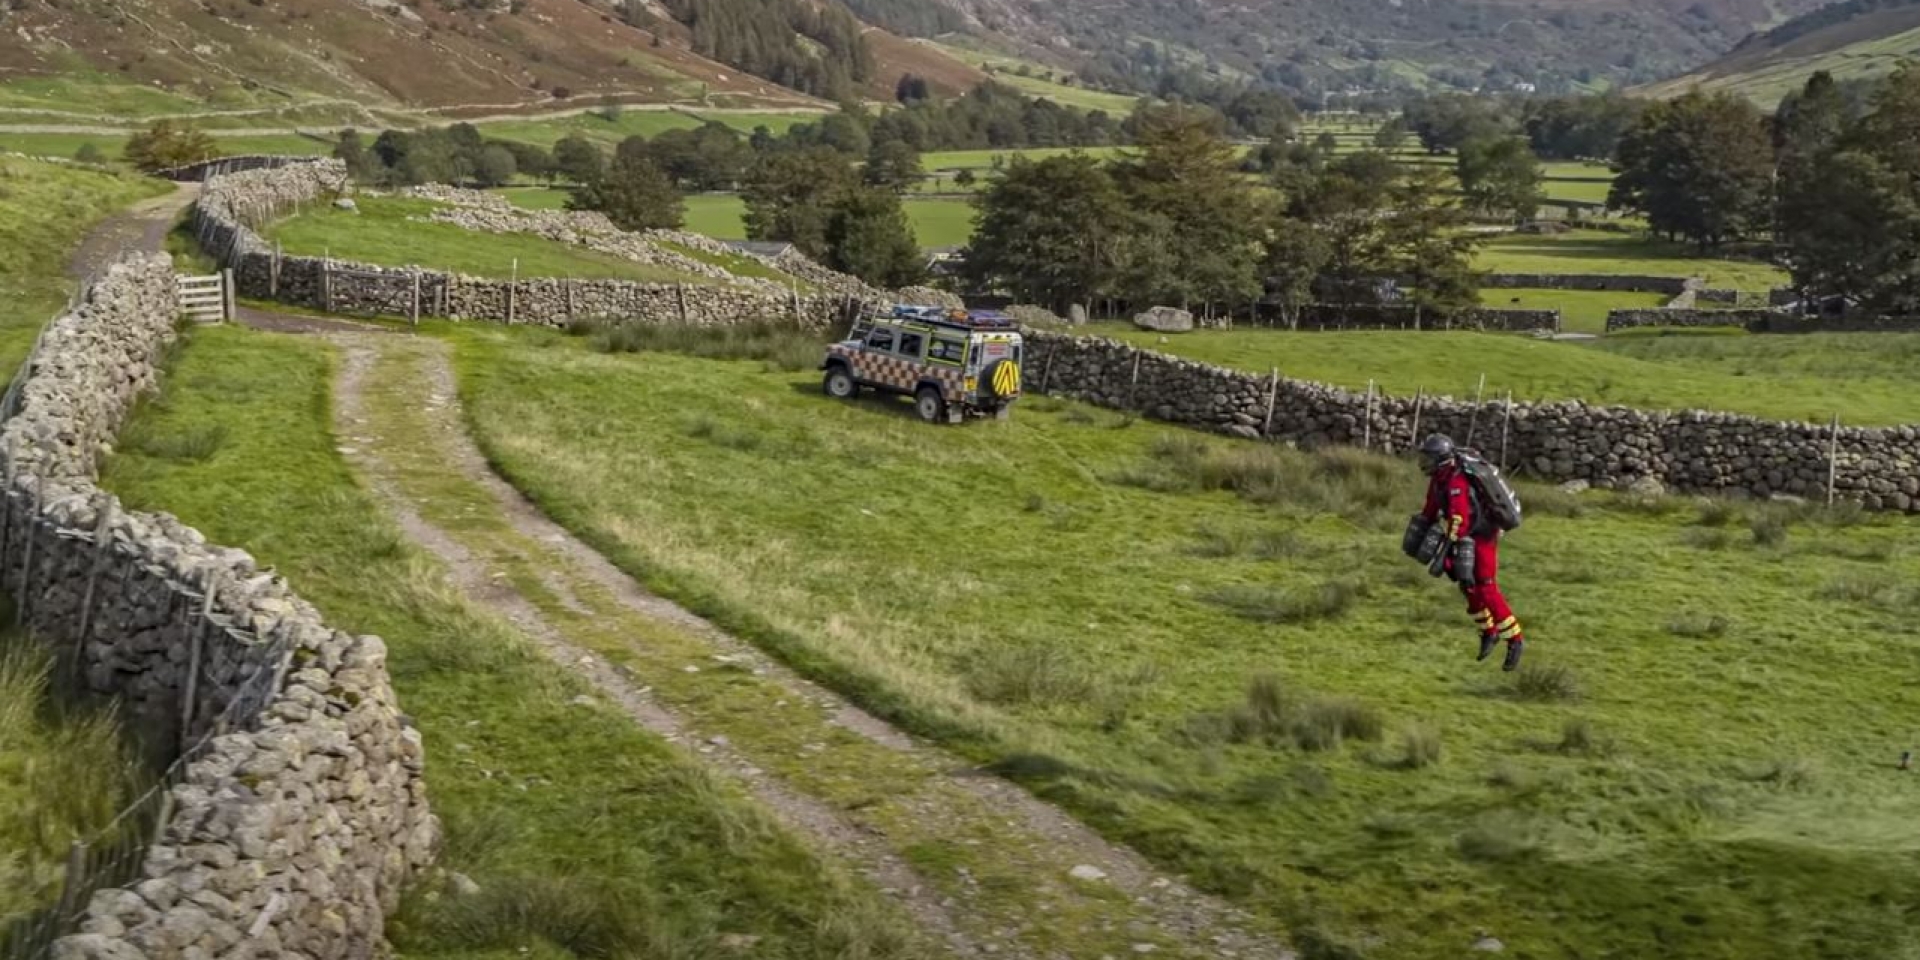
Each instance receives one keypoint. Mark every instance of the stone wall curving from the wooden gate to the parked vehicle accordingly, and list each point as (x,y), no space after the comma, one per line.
(235,206)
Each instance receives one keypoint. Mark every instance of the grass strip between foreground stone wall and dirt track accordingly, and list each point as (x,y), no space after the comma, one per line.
(585,834)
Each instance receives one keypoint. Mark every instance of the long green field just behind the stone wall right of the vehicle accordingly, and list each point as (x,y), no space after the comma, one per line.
(1867,379)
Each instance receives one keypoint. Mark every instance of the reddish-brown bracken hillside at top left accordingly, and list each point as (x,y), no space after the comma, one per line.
(479,57)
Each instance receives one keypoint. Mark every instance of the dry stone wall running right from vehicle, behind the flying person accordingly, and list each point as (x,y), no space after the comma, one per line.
(1694,452)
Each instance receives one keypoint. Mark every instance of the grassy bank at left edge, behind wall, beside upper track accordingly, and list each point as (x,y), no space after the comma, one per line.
(45,212)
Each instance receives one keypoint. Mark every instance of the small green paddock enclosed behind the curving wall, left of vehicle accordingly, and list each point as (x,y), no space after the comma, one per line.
(385,233)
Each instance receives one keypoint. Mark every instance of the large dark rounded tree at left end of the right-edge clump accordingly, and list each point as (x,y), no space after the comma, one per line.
(1698,168)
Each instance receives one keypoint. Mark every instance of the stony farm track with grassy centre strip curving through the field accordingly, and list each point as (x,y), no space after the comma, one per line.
(1126,905)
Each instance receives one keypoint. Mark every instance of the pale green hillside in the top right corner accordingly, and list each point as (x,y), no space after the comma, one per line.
(1852,41)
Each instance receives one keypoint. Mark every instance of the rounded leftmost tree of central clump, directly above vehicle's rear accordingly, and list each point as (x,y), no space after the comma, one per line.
(1049,231)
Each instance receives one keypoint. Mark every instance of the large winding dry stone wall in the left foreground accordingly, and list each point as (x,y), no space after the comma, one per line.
(300,811)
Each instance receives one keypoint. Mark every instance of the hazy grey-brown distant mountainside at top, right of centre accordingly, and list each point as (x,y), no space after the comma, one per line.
(1370,45)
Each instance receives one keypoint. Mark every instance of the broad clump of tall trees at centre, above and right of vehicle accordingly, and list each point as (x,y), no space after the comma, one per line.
(1180,224)
